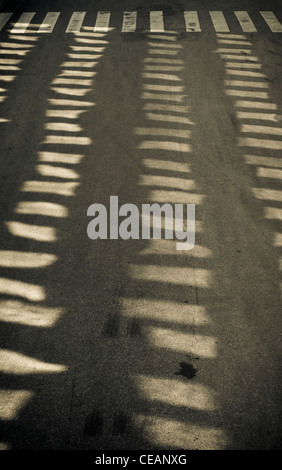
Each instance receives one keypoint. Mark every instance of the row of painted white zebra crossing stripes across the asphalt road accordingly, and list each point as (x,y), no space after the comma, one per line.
(155,21)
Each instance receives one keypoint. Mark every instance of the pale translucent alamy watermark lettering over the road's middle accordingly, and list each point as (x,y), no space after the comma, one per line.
(154,219)
